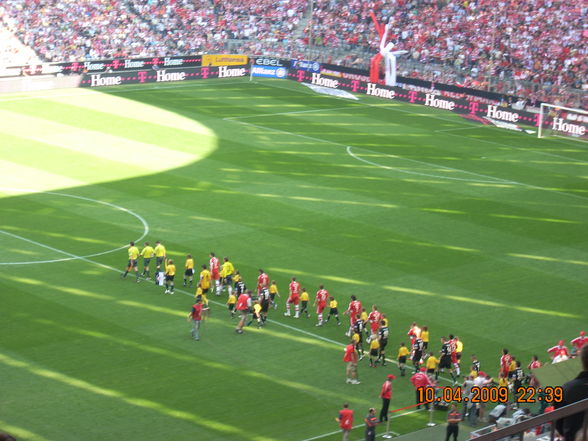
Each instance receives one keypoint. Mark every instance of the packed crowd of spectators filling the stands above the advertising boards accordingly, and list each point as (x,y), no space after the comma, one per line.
(529,43)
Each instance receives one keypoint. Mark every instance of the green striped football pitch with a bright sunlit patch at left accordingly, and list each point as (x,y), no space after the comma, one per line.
(468,229)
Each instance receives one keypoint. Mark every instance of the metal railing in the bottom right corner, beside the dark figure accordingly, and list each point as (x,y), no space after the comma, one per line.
(517,431)
